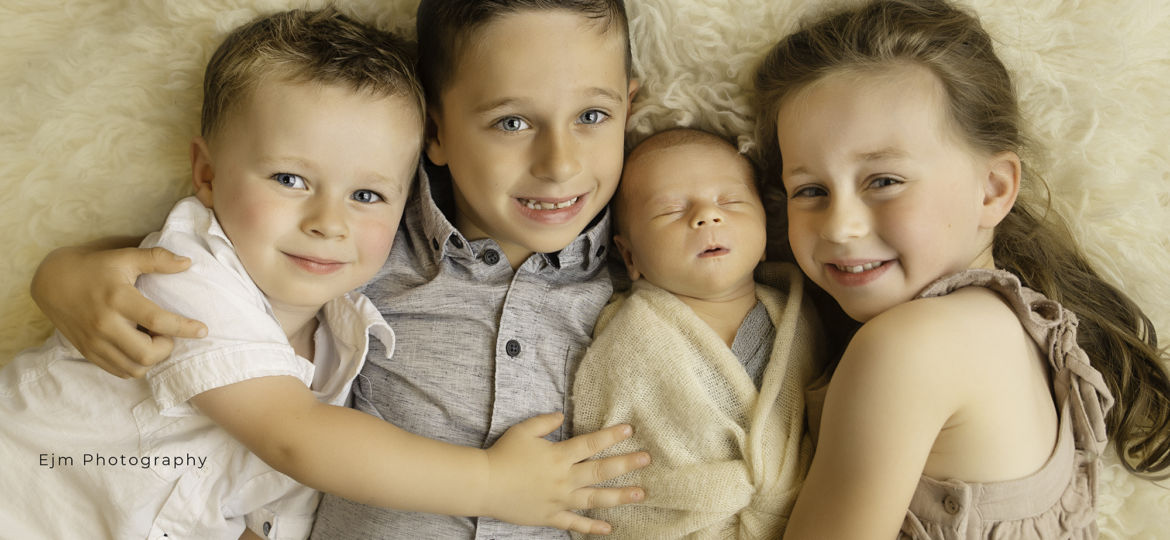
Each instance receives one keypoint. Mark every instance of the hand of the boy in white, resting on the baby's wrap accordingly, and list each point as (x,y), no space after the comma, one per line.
(538,482)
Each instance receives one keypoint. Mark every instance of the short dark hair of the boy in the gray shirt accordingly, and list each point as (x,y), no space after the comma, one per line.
(445,27)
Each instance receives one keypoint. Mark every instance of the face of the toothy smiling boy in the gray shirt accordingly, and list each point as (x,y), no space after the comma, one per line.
(532,128)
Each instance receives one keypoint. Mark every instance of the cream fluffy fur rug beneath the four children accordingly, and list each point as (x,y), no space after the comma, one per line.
(100,99)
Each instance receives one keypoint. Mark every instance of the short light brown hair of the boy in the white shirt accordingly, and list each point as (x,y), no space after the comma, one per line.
(302,46)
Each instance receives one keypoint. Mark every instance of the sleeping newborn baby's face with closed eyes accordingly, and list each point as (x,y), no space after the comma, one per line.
(692,220)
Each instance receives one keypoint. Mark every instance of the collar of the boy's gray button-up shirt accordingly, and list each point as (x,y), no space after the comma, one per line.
(435,203)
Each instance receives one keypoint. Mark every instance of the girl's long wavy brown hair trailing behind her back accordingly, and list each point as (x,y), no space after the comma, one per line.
(1033,243)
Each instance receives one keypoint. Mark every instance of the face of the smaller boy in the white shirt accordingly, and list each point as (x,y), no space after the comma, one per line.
(309,182)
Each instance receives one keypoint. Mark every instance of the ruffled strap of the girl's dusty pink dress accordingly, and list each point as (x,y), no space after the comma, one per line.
(1075,380)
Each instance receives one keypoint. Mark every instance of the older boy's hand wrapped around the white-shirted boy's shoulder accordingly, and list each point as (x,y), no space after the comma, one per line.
(88,293)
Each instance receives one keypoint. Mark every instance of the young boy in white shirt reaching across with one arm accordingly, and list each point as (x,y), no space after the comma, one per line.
(312,130)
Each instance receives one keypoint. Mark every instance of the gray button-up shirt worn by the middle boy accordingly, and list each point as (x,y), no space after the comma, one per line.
(479,349)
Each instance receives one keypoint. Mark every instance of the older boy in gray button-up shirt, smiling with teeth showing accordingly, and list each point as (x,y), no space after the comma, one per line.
(499,272)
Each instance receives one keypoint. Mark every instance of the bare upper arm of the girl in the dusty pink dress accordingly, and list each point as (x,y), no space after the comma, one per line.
(887,403)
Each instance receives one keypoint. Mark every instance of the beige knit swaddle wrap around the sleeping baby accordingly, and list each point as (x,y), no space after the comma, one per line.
(728,461)
